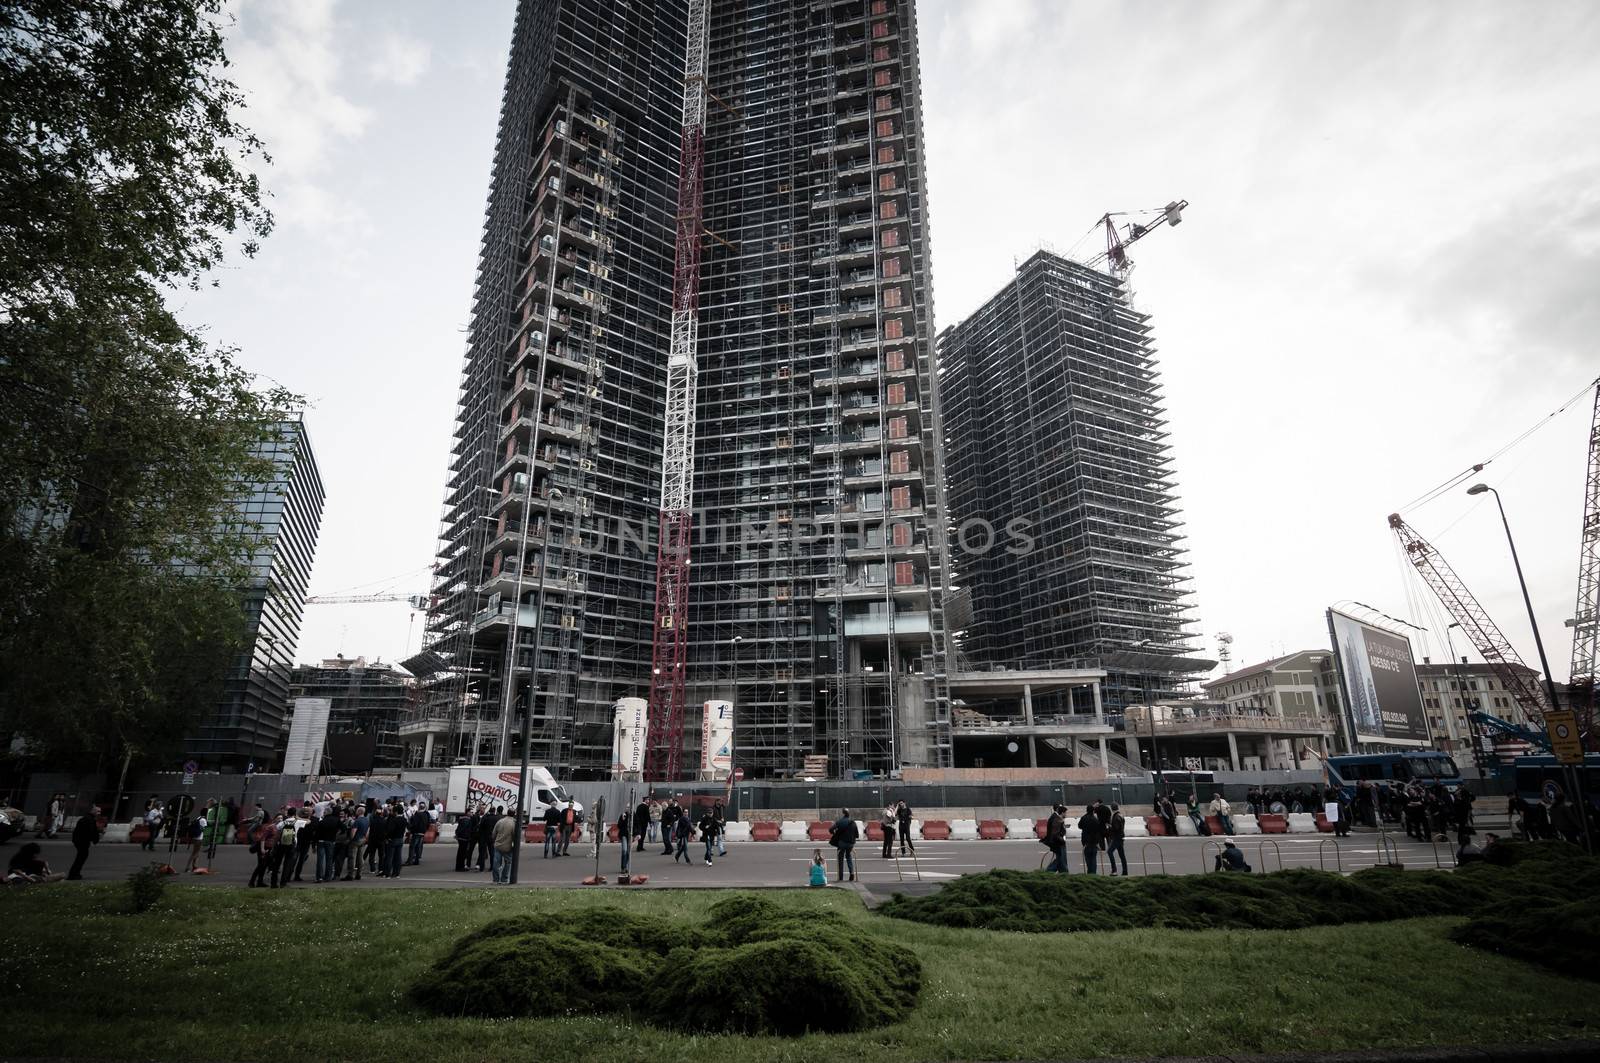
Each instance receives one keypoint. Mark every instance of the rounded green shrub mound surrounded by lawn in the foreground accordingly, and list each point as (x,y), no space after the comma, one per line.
(753,968)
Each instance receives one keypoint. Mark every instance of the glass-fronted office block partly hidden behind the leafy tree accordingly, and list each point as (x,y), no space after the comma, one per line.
(286,513)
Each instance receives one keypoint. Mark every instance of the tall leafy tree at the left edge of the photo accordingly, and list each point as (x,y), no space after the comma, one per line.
(124,436)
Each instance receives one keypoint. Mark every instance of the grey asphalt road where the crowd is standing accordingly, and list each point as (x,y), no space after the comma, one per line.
(785,864)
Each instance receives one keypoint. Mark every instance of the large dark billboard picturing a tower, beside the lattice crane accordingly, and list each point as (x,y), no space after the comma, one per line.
(1380,683)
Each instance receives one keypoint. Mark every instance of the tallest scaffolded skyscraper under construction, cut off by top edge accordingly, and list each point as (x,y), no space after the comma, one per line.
(818,553)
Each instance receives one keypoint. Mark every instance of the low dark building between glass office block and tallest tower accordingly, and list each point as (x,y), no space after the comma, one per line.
(367,704)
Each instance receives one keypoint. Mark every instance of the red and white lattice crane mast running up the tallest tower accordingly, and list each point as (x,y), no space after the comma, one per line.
(670,652)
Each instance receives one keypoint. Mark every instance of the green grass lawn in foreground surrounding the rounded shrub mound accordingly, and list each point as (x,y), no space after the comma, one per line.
(322,976)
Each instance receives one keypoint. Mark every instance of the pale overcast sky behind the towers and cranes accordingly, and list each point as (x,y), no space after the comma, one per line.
(1390,271)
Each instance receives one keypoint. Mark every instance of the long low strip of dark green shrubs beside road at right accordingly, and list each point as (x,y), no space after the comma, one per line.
(1041,902)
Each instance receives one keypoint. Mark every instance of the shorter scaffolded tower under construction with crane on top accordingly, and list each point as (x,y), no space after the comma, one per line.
(1055,428)
